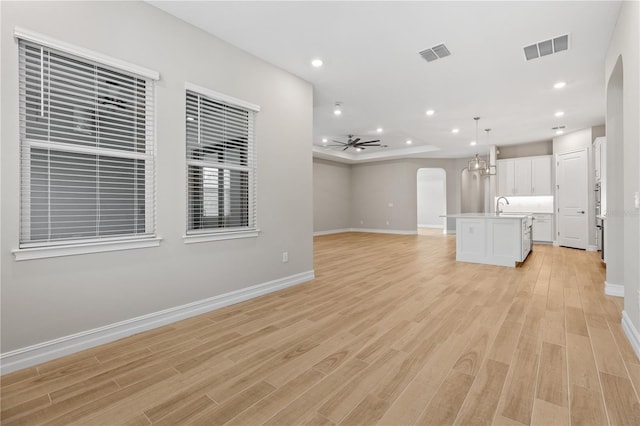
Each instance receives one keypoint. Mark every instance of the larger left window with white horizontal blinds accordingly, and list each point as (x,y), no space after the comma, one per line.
(87,161)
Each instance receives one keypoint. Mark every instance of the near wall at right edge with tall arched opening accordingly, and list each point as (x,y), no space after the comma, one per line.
(623,157)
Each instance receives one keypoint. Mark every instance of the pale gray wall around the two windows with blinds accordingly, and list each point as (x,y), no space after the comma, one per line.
(51,298)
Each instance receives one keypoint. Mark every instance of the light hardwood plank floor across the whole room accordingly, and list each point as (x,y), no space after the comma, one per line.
(392,331)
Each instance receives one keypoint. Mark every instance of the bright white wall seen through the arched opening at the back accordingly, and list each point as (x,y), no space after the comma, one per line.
(432,197)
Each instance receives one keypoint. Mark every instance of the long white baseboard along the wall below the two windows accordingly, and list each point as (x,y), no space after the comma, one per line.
(46,351)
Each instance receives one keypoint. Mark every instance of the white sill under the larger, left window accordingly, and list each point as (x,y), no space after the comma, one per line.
(86,248)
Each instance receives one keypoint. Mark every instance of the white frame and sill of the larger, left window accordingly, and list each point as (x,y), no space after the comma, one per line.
(30,249)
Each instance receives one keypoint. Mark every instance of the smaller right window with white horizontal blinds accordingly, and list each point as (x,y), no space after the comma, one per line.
(221,163)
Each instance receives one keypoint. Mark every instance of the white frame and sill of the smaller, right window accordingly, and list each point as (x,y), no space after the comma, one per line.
(223,233)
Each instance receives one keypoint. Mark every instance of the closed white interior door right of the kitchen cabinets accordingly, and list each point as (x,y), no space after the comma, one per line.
(572,177)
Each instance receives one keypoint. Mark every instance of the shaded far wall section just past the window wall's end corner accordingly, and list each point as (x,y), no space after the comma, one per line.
(331,196)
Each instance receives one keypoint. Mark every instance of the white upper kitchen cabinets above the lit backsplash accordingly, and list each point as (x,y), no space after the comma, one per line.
(525,176)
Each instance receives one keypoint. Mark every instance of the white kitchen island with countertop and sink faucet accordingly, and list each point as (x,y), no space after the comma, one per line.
(492,239)
